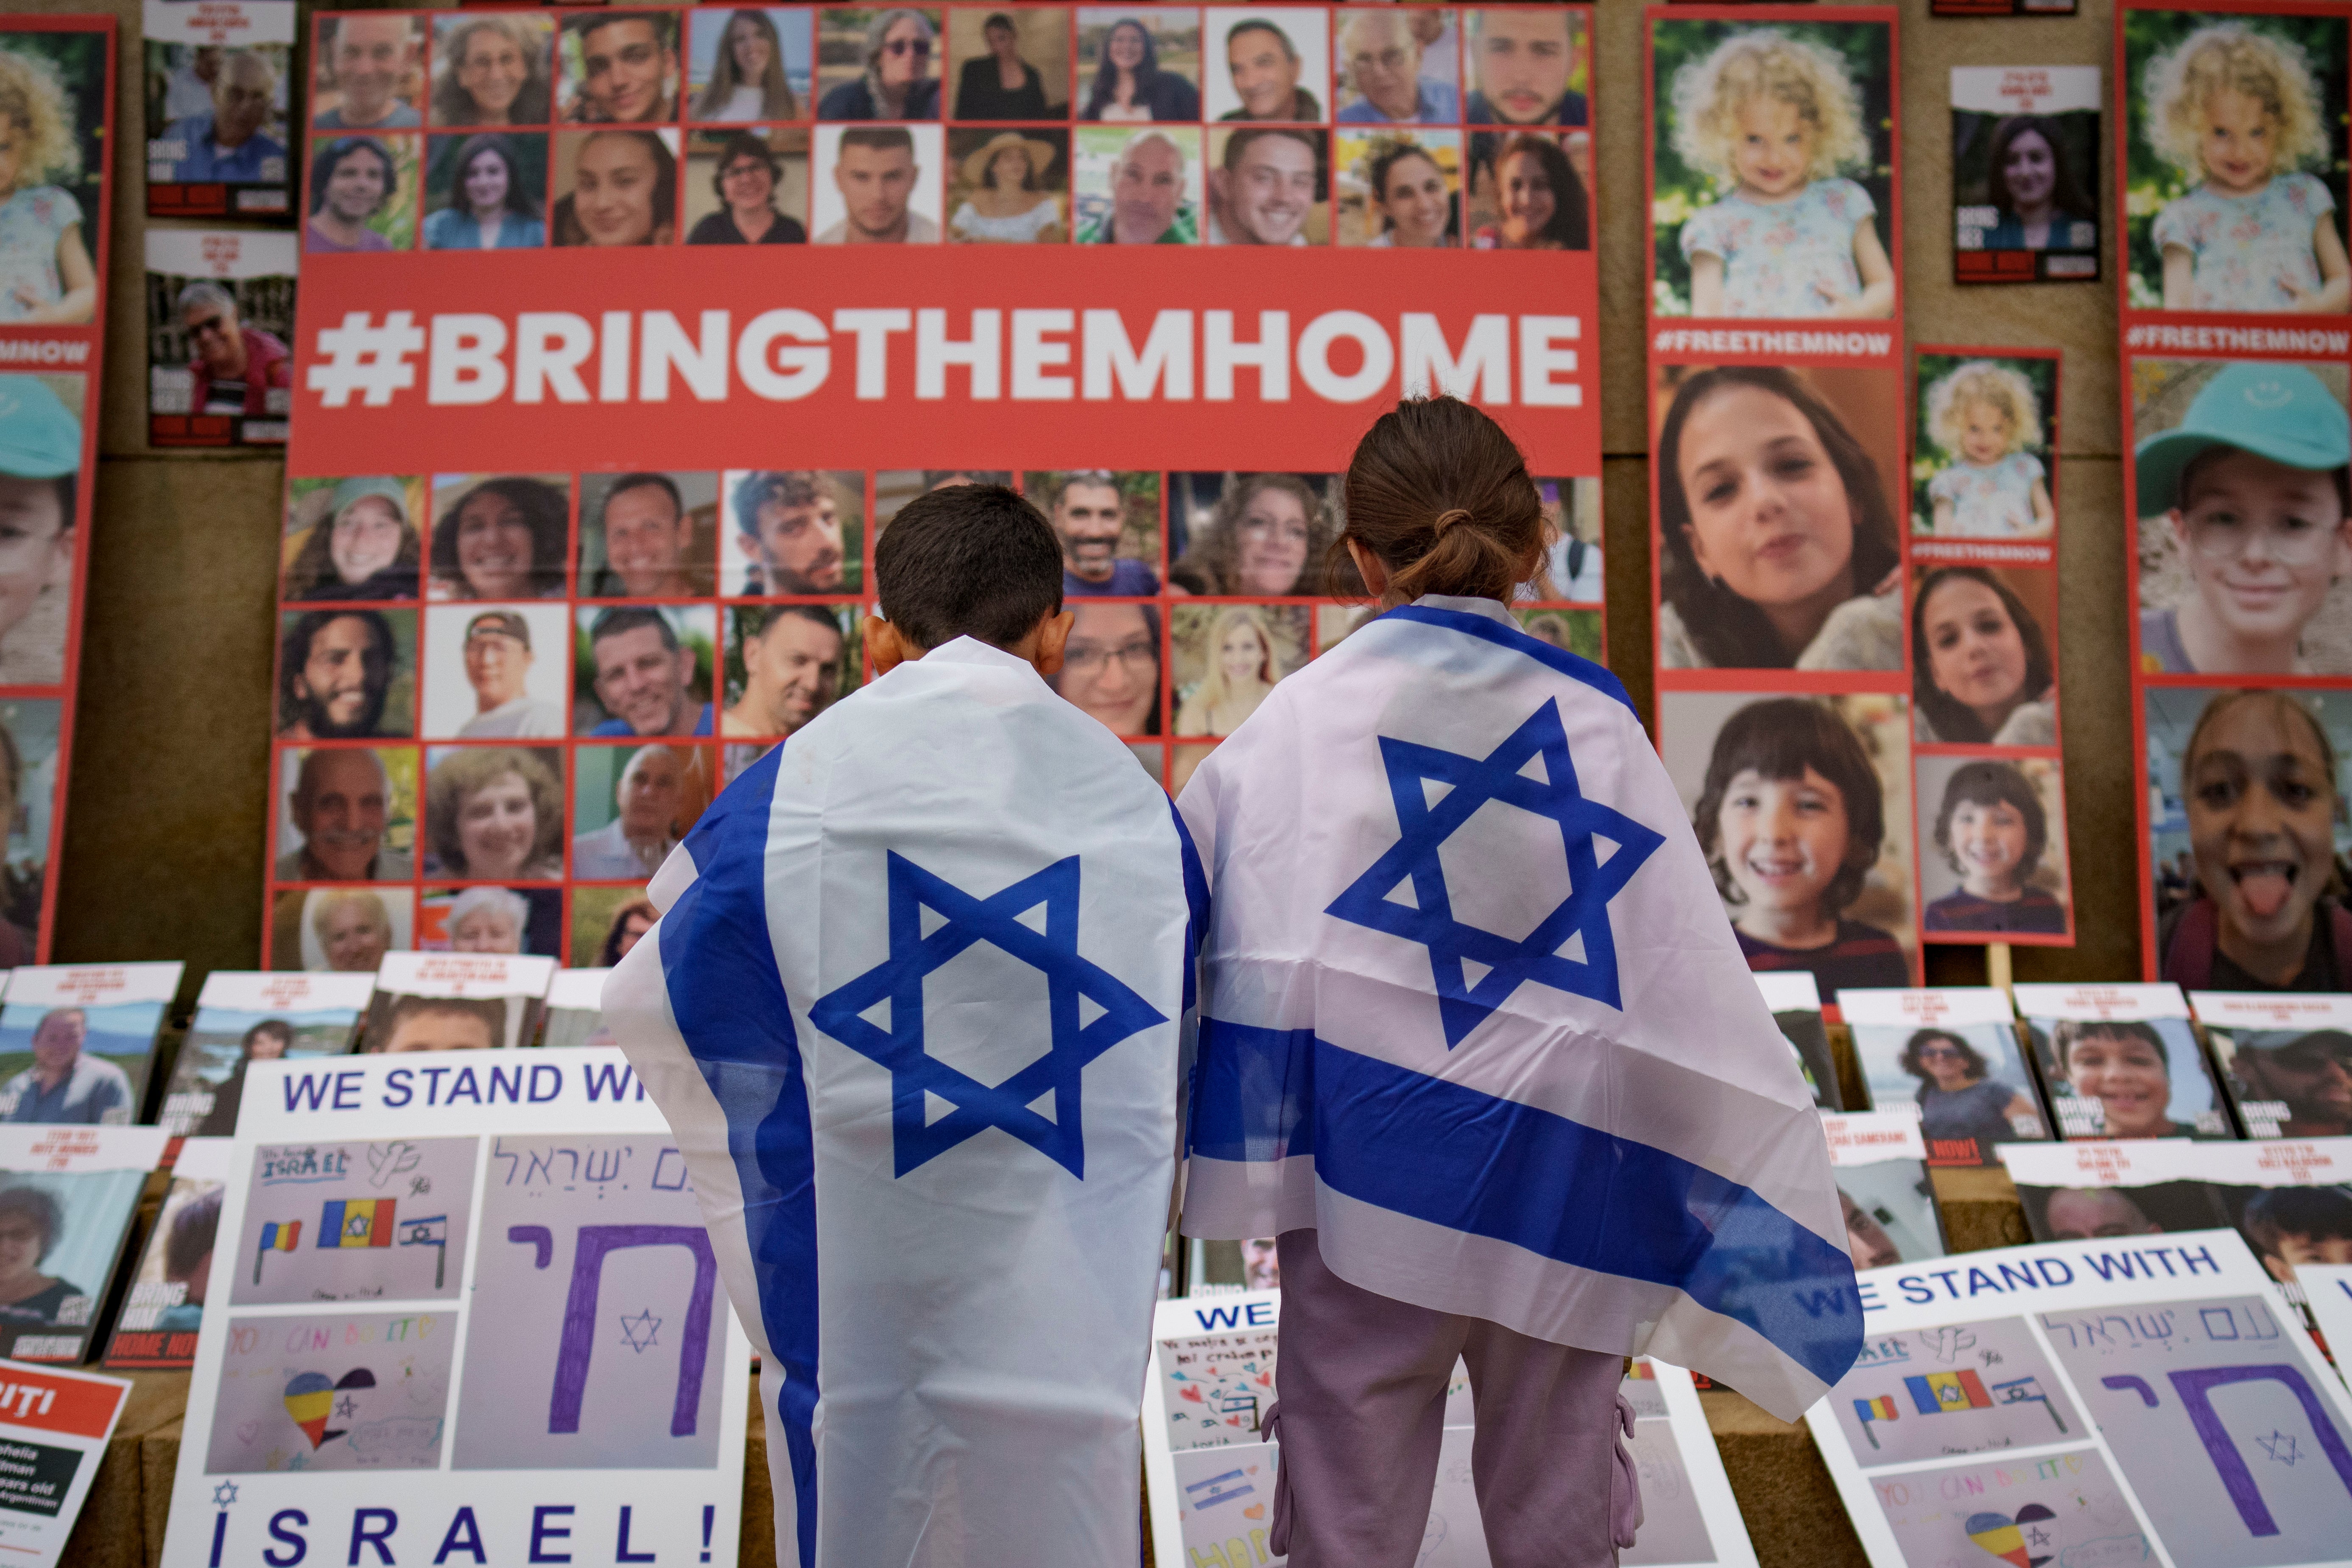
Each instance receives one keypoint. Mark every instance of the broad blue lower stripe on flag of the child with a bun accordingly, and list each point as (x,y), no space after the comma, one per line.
(1492,1167)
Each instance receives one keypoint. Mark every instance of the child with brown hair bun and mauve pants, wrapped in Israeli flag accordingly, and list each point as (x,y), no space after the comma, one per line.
(1481,1050)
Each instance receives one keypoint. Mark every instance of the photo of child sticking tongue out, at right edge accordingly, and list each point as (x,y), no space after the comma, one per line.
(2247,838)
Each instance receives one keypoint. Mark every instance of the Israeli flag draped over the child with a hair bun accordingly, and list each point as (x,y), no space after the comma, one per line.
(1474,1012)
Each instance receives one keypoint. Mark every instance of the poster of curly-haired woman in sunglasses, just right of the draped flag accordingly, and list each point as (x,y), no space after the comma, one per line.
(1951,1057)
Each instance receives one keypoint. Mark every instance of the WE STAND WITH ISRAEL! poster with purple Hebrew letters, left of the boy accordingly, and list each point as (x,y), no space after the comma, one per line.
(467,1311)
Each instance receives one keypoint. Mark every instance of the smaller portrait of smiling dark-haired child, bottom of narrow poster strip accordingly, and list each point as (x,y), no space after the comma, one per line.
(1993,857)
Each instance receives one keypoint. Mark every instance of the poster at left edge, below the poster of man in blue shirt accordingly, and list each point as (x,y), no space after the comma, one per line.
(67,1205)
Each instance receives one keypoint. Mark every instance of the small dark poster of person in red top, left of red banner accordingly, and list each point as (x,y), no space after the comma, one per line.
(220,316)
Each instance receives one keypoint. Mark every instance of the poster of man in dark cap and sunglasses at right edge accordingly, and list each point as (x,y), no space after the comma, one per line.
(2285,1061)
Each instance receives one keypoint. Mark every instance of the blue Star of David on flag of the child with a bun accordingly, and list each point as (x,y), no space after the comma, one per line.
(1506,965)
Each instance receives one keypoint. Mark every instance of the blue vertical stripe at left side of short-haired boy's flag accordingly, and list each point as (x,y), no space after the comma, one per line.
(728,998)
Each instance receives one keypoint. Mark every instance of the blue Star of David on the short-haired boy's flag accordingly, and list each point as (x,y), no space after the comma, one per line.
(975,1106)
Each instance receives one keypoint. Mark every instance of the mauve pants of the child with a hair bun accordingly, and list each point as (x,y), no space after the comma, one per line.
(1361,1412)
